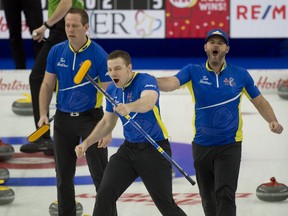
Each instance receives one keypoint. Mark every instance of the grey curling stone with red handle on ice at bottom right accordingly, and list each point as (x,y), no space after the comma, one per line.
(272,191)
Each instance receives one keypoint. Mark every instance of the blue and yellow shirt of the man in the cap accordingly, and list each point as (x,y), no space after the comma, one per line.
(217,100)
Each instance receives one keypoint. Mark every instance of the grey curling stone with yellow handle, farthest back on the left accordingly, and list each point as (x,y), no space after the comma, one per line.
(23,106)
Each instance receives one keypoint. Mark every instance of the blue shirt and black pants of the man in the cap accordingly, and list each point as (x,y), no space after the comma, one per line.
(217,144)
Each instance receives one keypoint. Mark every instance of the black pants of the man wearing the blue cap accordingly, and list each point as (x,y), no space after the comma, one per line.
(217,171)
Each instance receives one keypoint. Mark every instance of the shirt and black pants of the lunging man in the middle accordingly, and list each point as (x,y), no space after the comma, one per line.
(136,157)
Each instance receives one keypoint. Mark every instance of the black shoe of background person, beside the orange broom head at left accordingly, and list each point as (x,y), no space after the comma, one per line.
(41,145)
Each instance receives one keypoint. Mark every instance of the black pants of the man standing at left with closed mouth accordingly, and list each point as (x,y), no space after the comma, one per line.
(68,131)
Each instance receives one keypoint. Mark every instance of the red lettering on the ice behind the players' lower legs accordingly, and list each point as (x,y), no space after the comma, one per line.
(180,198)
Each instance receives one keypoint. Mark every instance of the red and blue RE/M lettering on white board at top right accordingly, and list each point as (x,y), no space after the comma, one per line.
(257,12)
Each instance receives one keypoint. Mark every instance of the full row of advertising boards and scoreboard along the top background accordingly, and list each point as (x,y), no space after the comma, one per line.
(141,19)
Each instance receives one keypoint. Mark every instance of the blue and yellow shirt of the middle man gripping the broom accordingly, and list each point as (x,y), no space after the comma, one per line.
(150,121)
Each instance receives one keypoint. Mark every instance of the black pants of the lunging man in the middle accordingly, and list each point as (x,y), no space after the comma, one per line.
(129,162)
